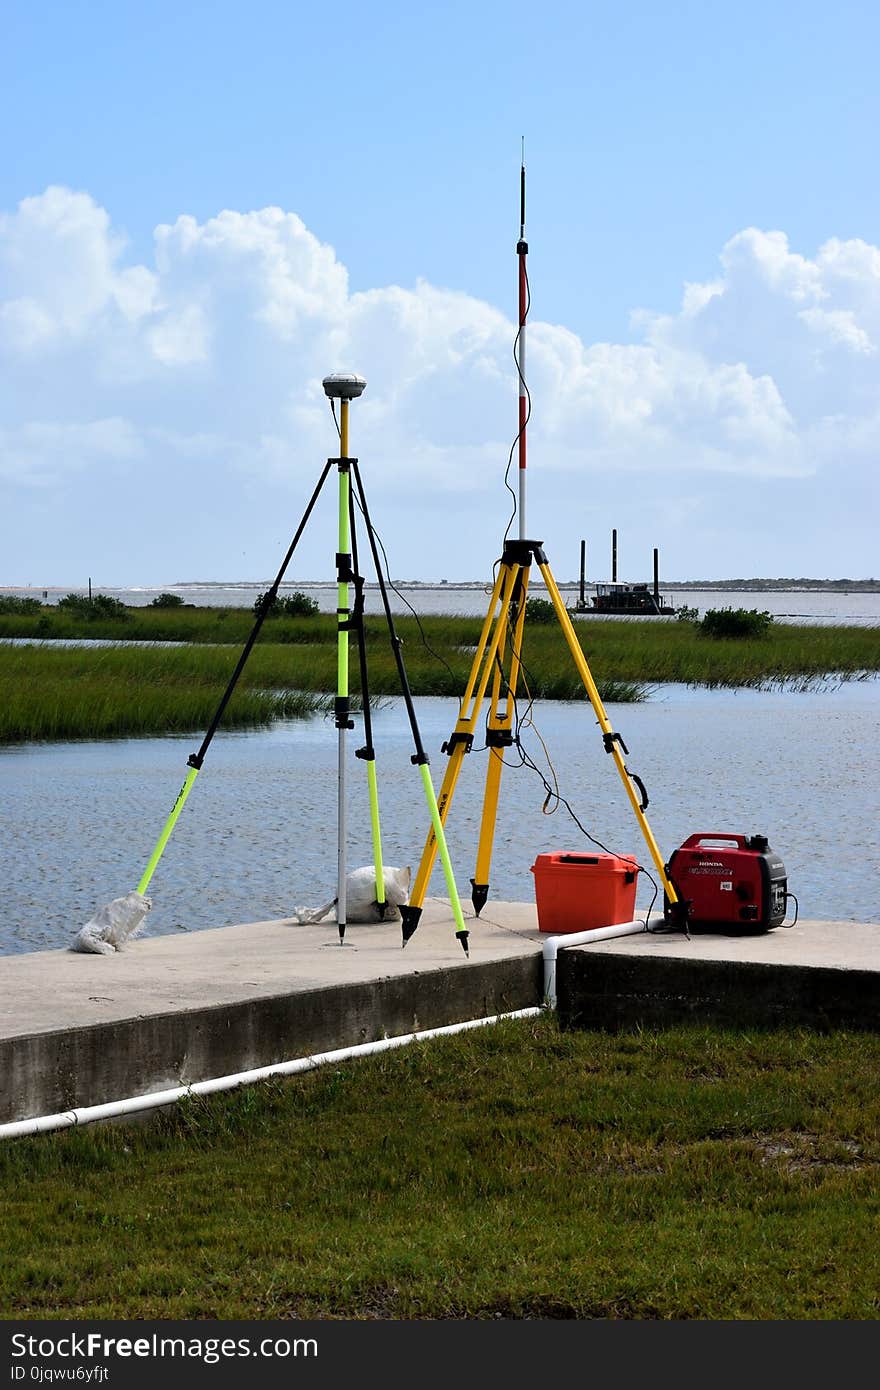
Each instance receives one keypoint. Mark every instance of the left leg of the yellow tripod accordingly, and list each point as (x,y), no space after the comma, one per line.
(462,737)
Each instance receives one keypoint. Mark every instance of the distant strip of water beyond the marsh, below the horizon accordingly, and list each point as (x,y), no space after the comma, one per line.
(797,607)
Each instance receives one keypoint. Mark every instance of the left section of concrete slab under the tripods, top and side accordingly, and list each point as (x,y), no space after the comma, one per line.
(81,1031)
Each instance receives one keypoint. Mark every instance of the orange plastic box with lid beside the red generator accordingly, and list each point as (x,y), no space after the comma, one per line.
(578,893)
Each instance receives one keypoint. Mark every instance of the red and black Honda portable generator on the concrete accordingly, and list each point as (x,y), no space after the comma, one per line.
(729,882)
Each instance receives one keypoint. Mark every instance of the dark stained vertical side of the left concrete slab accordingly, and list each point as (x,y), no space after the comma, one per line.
(51,1072)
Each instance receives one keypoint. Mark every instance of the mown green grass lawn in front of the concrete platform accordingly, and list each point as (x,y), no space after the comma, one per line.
(514,1171)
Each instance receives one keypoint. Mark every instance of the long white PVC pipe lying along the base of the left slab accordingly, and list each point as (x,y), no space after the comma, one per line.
(88,1114)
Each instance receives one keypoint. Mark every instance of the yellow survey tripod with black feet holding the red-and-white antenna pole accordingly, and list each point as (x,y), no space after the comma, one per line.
(504,626)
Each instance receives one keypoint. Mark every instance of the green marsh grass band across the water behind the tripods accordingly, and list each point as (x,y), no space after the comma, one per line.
(60,693)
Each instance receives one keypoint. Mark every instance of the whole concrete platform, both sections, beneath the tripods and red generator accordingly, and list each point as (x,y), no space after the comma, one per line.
(87,1029)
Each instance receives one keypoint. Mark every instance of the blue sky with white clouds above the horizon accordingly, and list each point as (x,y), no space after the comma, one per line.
(706,279)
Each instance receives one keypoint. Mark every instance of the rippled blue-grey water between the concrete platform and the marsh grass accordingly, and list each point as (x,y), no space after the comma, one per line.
(258,835)
